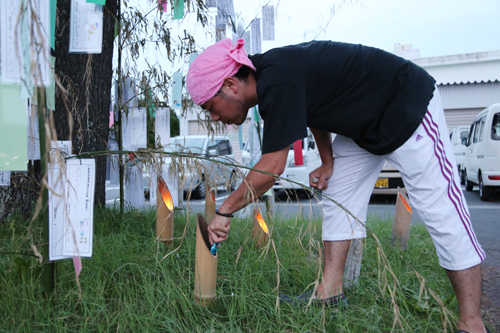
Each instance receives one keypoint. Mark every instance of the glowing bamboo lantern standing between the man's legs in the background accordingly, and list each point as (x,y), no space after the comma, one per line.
(402,222)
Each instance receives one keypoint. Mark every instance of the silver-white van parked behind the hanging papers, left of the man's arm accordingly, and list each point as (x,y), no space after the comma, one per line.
(217,148)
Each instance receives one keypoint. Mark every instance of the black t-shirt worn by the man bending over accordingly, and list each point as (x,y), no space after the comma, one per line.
(372,96)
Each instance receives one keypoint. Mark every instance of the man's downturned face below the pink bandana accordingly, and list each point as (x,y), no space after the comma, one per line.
(227,109)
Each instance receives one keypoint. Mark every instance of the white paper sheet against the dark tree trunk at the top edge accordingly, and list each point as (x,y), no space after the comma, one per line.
(85,27)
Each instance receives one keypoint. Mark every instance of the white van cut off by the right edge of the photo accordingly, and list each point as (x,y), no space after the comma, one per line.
(482,157)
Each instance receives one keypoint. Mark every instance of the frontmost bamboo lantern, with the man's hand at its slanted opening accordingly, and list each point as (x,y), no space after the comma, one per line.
(205,269)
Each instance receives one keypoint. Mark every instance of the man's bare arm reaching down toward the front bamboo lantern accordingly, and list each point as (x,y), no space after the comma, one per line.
(271,162)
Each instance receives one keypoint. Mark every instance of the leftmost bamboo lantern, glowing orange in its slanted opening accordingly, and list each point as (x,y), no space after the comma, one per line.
(164,213)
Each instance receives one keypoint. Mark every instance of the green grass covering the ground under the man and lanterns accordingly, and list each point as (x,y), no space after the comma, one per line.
(128,285)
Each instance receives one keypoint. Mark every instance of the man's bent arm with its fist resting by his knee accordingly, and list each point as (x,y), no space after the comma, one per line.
(324,144)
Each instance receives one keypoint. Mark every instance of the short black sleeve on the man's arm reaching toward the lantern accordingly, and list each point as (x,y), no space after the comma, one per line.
(283,109)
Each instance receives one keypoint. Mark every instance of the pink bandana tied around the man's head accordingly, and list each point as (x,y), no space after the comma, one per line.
(209,69)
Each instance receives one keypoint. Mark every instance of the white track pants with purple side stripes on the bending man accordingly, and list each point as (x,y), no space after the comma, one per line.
(428,169)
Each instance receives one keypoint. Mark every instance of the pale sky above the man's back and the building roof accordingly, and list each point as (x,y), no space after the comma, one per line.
(435,27)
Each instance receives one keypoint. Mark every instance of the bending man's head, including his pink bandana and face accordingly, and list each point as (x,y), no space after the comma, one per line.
(221,81)
